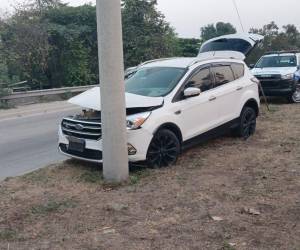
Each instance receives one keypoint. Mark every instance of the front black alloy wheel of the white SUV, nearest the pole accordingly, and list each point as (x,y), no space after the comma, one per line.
(163,149)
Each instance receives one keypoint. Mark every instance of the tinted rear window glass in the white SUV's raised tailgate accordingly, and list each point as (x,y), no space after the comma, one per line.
(227,44)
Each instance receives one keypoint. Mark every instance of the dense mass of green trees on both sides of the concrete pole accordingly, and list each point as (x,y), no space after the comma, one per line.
(50,44)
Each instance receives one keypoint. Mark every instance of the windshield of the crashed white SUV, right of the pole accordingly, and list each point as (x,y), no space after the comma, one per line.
(154,82)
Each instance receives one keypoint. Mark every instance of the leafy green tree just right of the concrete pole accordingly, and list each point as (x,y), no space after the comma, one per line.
(146,34)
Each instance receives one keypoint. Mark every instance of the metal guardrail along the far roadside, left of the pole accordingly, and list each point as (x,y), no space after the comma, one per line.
(46,92)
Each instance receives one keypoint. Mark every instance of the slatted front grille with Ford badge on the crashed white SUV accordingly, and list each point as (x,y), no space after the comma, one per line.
(81,129)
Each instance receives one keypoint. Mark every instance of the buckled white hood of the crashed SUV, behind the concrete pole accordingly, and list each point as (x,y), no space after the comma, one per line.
(90,99)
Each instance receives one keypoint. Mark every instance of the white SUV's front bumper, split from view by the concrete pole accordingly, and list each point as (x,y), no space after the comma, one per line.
(139,139)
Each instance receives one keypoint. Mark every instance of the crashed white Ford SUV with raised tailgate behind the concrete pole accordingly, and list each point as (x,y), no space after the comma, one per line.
(173,103)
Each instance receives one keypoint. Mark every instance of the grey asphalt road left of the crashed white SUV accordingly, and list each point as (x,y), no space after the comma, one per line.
(28,137)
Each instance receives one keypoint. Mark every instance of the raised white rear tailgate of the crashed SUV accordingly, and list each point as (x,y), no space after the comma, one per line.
(240,43)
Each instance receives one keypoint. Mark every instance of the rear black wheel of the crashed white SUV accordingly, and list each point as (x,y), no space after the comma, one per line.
(247,123)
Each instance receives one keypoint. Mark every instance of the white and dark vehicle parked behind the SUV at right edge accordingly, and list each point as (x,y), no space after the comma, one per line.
(277,72)
